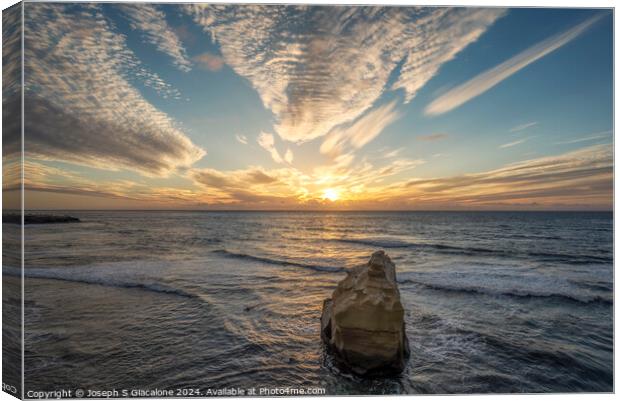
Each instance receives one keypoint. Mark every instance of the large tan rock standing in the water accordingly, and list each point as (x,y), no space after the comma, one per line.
(363,323)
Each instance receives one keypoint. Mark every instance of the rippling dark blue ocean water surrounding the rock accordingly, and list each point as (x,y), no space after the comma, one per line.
(496,302)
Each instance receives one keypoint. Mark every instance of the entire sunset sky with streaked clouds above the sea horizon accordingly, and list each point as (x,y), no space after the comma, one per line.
(225,107)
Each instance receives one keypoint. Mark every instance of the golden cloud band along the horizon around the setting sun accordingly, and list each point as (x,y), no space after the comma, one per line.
(581,179)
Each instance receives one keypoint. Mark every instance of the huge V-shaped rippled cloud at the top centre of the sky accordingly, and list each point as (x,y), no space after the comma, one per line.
(317,68)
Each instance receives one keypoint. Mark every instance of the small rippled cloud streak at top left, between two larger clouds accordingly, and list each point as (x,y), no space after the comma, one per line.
(149,19)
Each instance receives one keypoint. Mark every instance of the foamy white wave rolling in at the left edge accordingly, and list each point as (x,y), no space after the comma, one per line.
(90,275)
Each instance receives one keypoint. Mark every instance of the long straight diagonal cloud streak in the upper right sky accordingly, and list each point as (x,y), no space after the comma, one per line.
(488,79)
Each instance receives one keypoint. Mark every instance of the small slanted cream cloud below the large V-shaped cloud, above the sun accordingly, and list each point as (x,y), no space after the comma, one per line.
(361,132)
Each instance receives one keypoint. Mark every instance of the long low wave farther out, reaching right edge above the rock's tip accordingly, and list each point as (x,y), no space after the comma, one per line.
(477,251)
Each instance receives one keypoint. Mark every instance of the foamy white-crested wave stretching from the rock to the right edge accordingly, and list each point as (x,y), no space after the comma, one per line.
(512,292)
